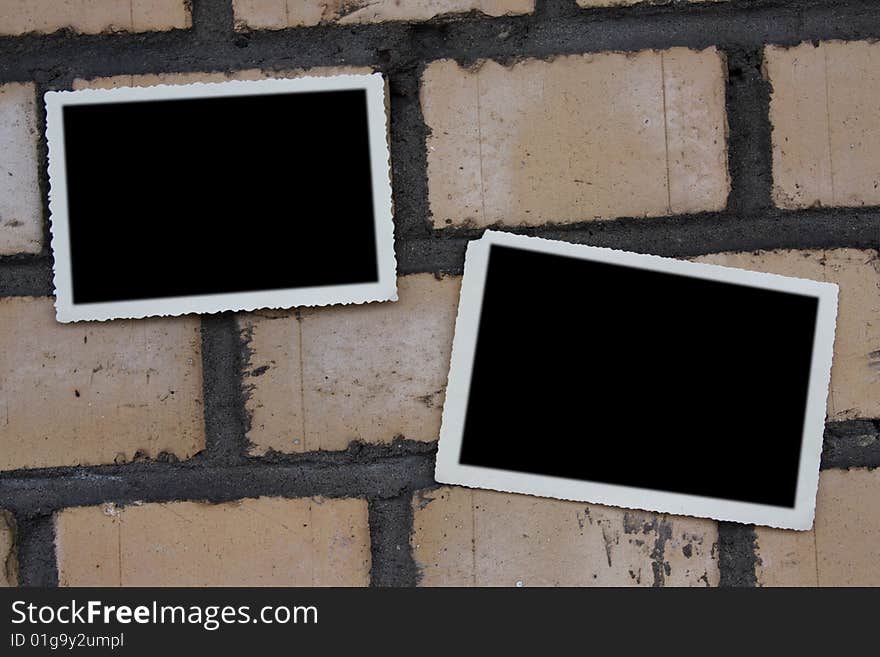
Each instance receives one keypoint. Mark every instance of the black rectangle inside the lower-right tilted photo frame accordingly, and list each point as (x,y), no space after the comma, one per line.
(612,374)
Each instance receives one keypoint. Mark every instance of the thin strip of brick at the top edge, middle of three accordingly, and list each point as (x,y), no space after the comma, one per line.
(278,14)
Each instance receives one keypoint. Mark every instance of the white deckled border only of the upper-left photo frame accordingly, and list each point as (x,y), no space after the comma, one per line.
(385,289)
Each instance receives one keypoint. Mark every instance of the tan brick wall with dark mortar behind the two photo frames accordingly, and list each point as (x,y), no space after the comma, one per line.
(297,447)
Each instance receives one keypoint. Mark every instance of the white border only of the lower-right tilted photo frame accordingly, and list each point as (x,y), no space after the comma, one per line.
(449,470)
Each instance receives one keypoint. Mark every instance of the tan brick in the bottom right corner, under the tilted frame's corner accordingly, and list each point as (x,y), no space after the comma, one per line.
(841,549)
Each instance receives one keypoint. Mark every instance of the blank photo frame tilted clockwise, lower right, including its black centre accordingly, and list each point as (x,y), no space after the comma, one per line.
(603,376)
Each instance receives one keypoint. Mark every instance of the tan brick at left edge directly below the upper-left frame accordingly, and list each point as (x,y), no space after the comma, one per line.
(89,393)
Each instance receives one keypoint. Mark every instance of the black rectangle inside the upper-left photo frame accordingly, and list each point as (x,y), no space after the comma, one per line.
(204,196)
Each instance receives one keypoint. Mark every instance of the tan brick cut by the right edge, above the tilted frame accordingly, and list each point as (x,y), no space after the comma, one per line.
(826,130)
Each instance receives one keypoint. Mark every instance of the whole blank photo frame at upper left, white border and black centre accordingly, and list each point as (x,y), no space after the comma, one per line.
(236,195)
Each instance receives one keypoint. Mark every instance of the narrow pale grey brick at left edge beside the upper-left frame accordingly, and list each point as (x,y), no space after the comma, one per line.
(21,210)
